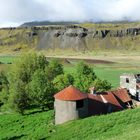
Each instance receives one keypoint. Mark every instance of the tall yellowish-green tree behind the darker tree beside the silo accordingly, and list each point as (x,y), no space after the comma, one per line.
(20,77)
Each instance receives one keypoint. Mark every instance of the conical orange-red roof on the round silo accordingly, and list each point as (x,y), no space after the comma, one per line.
(70,94)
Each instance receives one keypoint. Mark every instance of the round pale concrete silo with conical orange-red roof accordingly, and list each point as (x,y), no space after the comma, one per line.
(70,104)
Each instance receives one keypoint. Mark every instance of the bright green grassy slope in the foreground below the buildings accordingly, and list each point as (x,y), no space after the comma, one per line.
(116,126)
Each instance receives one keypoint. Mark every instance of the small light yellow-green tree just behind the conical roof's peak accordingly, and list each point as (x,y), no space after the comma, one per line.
(62,81)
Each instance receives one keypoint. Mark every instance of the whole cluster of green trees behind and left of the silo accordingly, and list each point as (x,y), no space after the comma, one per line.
(32,81)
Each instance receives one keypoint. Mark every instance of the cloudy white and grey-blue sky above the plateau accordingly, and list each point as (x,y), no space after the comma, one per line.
(15,12)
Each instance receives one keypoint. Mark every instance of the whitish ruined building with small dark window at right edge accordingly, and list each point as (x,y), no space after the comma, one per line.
(132,83)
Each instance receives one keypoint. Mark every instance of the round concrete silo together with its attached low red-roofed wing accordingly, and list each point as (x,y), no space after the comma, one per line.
(71,104)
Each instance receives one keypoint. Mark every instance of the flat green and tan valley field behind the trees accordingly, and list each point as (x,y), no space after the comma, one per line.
(106,71)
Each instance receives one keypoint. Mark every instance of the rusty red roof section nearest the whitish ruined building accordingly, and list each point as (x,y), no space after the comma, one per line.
(122,94)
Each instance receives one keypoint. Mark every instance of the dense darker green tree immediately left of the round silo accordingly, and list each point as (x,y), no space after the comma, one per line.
(41,90)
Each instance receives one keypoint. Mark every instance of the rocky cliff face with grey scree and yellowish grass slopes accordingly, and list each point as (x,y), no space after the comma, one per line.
(69,37)
